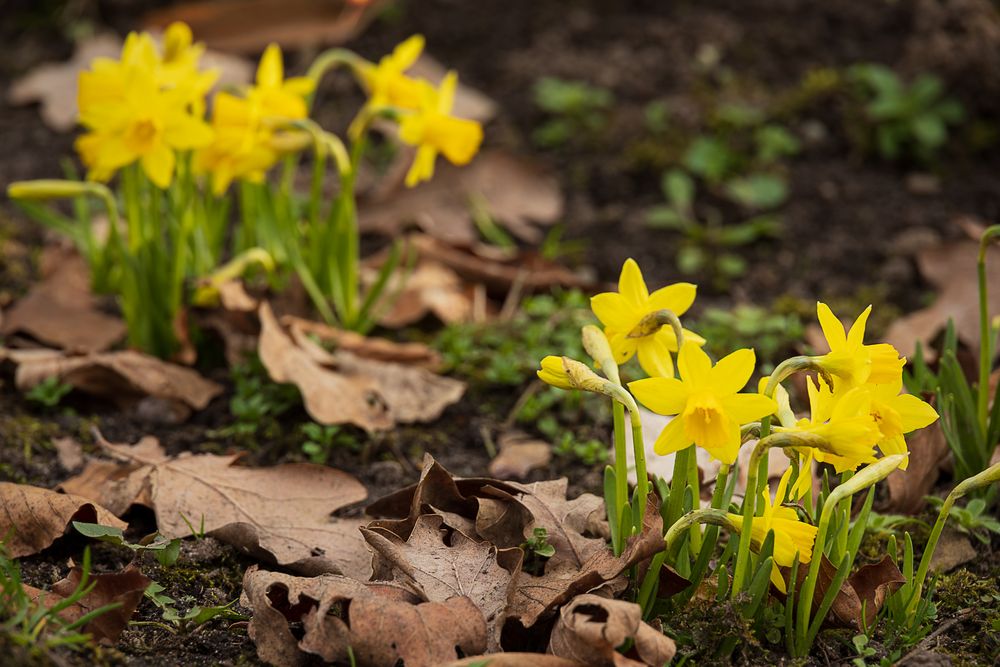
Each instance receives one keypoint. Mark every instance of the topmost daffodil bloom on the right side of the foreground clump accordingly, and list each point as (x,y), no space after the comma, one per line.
(849,359)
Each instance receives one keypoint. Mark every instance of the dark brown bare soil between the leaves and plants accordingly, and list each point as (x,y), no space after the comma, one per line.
(851,225)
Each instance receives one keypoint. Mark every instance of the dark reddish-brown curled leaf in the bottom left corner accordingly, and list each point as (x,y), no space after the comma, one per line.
(125,588)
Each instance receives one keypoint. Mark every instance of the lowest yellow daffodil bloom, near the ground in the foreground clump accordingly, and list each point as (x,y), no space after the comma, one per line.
(791,536)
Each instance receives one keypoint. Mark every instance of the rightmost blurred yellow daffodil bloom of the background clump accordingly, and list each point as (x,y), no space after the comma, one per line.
(432,129)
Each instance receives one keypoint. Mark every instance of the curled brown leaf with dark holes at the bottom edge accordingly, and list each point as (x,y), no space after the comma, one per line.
(378,624)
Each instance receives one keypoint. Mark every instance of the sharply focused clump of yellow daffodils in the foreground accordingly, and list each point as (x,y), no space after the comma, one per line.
(853,422)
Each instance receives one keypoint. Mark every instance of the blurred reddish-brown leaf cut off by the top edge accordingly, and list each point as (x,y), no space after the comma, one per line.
(248,26)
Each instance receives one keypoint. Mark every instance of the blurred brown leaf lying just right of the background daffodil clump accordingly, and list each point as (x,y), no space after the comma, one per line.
(512,189)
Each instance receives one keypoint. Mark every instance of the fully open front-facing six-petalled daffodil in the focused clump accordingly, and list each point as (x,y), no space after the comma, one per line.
(706,401)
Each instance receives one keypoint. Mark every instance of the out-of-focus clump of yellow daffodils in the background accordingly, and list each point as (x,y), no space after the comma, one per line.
(180,157)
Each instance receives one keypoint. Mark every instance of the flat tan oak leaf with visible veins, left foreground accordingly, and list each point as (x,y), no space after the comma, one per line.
(280,513)
